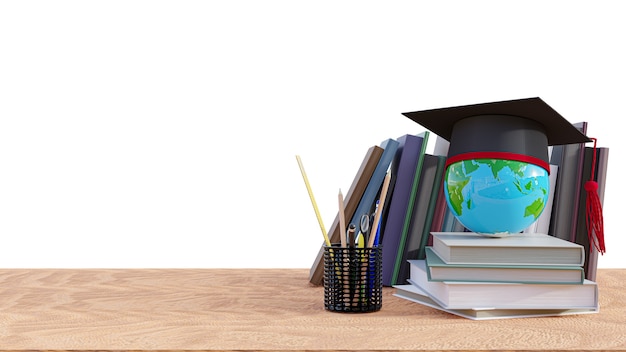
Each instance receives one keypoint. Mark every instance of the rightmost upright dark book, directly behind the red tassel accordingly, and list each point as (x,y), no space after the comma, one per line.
(594,169)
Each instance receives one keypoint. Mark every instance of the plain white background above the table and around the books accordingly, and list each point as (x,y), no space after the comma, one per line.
(164,133)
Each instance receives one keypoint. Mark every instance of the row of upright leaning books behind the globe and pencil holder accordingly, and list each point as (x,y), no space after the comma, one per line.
(415,204)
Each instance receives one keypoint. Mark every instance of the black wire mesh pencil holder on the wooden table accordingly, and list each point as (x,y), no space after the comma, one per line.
(352,279)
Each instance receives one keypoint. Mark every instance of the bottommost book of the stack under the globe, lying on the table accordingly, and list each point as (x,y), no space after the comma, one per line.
(417,295)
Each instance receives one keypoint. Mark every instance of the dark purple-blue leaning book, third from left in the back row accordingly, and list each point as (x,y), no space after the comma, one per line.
(407,166)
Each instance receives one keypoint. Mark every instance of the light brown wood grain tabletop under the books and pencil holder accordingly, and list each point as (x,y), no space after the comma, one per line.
(263,309)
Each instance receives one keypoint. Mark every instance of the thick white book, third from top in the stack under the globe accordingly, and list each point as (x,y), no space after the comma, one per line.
(494,295)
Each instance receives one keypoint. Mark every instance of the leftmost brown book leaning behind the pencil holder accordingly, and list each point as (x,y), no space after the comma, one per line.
(351,201)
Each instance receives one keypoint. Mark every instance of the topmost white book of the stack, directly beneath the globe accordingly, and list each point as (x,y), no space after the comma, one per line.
(522,248)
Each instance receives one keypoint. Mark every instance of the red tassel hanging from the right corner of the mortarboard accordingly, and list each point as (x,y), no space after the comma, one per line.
(594,218)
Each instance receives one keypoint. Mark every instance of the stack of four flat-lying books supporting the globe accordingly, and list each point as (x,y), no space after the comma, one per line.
(479,277)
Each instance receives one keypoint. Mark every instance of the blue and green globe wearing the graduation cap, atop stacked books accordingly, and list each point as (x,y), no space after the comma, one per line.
(496,197)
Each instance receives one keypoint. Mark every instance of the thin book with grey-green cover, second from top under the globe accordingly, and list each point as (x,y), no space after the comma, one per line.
(438,270)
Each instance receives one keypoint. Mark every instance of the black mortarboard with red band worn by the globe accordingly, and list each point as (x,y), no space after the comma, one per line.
(518,130)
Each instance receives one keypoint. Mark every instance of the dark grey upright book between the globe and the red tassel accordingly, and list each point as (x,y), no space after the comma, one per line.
(569,159)
